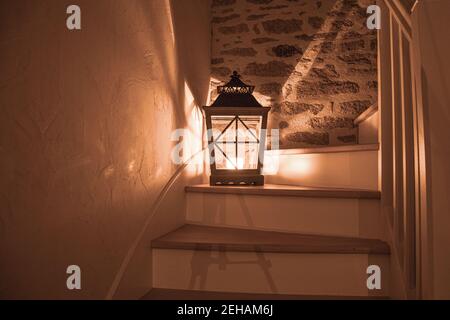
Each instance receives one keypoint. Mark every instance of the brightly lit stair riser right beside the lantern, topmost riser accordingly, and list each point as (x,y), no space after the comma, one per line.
(357,170)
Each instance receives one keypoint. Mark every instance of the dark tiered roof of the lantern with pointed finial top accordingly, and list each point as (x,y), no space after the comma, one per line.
(236,94)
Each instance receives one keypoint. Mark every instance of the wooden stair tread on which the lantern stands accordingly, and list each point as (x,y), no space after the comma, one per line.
(285,190)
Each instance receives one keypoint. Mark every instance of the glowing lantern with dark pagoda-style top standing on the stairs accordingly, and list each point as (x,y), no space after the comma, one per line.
(237,126)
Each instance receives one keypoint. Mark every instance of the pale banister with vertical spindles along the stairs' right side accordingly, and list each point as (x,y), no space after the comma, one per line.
(399,169)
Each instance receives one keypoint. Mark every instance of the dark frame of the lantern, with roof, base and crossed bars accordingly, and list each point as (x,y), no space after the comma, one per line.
(239,94)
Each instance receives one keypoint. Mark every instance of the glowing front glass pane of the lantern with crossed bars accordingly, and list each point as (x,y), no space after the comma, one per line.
(236,141)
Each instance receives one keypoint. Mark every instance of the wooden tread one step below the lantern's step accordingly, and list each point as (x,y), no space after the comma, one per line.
(198,237)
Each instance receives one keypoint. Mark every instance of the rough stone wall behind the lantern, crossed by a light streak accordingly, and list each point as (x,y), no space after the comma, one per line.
(314,62)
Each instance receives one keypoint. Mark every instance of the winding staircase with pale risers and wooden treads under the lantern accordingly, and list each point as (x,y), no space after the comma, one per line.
(280,241)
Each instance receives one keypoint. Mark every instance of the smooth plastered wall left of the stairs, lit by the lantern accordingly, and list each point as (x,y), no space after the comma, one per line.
(85,127)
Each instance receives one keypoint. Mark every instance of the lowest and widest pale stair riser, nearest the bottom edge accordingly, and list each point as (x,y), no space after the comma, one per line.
(248,272)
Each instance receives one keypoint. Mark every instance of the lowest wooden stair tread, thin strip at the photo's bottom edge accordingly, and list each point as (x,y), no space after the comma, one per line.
(172,294)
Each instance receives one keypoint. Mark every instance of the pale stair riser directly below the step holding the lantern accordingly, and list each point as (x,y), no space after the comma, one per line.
(329,216)
